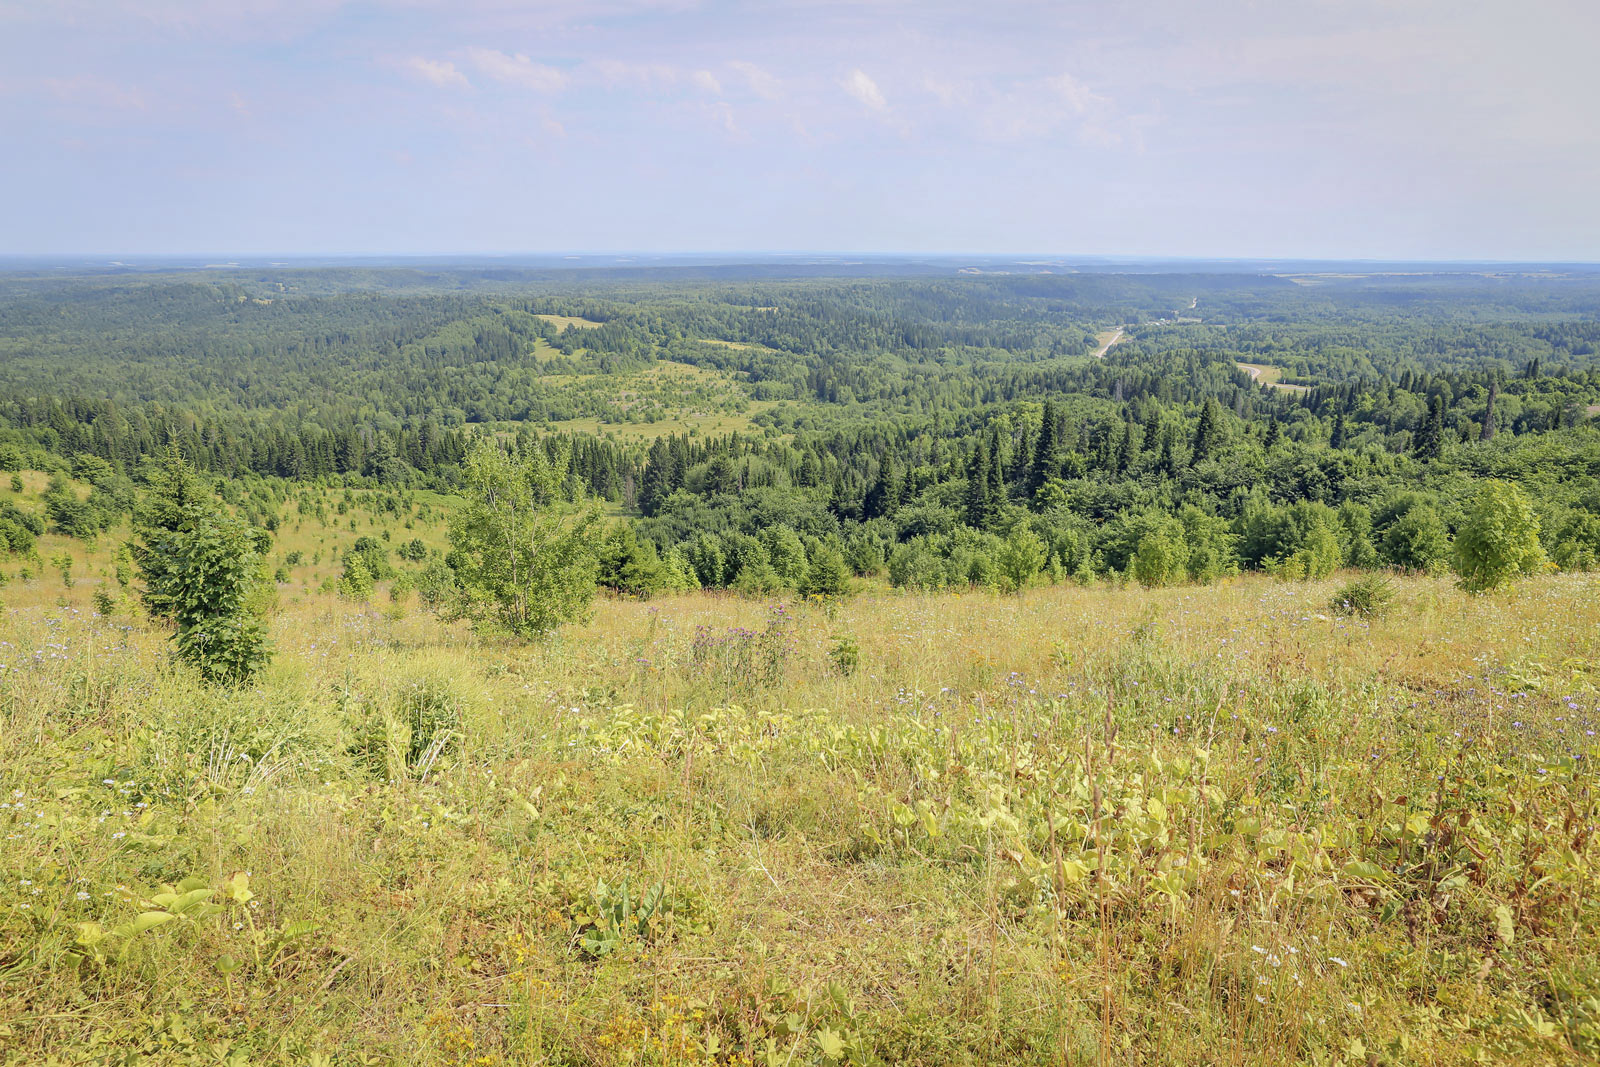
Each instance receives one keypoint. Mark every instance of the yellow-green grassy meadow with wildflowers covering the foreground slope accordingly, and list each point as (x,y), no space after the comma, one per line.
(1079,826)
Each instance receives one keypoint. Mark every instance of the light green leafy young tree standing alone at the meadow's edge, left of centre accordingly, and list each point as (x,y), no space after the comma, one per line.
(522,551)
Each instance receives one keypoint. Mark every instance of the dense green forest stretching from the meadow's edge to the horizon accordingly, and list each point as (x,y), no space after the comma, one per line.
(935,428)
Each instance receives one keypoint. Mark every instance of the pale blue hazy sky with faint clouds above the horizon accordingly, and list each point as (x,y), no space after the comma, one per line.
(1210,129)
